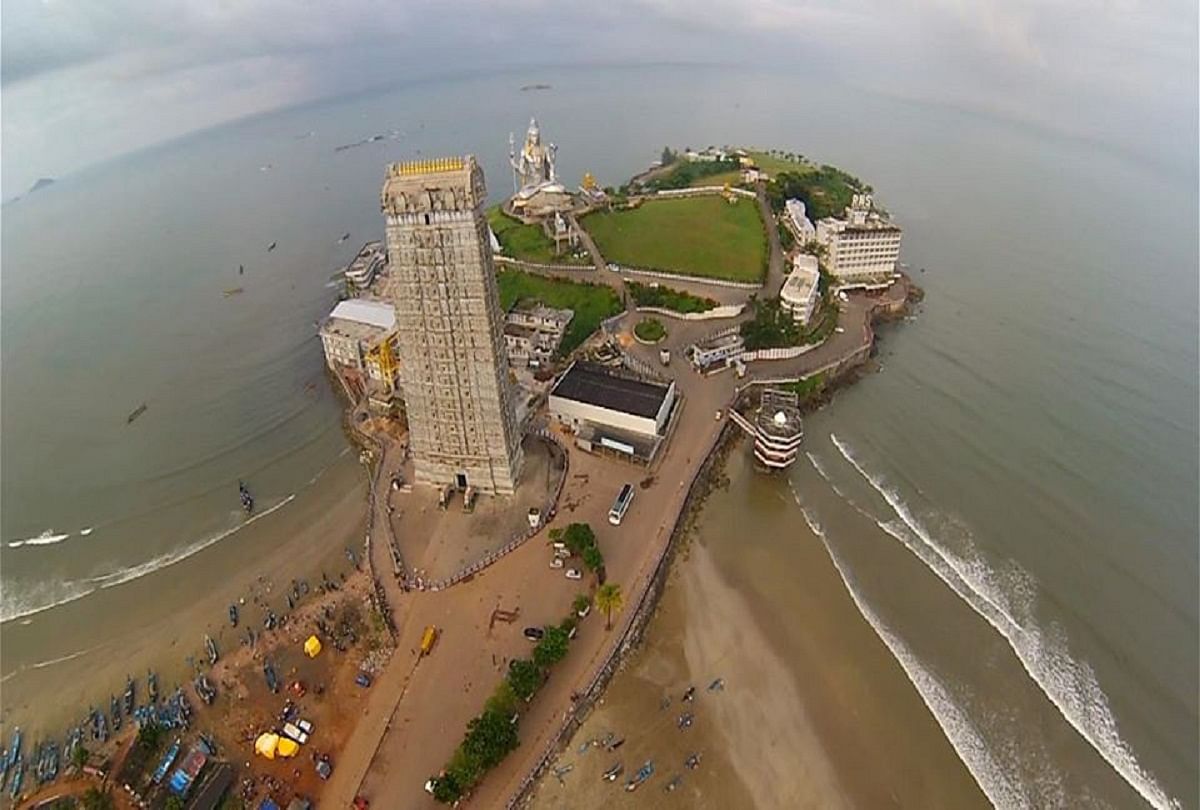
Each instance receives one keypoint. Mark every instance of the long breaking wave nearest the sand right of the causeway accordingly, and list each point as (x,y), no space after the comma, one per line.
(992,778)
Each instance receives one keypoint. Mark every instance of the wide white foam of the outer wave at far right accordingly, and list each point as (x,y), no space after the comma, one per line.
(1070,686)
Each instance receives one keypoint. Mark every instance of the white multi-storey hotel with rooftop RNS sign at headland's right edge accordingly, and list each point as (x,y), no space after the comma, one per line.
(863,249)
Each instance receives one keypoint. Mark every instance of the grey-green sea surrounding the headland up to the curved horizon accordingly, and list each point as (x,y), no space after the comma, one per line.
(1011,502)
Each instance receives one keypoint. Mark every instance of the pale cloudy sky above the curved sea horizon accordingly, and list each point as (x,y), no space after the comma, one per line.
(87,81)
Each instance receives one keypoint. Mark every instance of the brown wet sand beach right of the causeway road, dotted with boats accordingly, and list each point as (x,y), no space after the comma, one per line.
(815,712)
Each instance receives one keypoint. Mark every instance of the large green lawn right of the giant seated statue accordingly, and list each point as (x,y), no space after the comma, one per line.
(697,237)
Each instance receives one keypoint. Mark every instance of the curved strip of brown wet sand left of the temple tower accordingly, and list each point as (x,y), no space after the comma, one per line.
(160,621)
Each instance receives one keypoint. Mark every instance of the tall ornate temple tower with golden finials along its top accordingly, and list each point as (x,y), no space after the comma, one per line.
(460,404)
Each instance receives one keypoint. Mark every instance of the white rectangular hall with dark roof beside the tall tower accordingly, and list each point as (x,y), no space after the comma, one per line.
(620,413)
